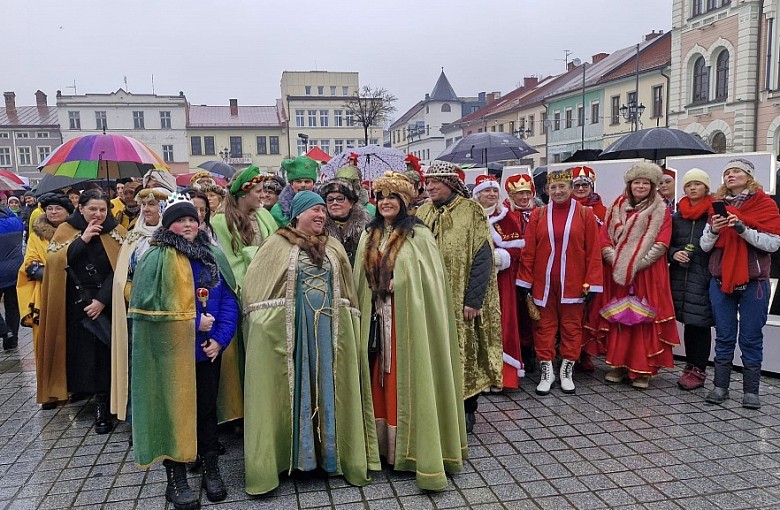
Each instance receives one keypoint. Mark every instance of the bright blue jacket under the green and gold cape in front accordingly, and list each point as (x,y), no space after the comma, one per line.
(223,305)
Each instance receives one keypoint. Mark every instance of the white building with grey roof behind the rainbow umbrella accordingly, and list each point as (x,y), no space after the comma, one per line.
(158,121)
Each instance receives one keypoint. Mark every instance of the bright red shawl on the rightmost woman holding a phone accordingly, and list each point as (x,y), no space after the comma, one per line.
(758,212)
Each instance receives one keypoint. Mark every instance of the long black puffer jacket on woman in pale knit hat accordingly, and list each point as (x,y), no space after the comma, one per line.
(690,285)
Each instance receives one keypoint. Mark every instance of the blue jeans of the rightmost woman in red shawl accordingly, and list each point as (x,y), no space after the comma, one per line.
(753,306)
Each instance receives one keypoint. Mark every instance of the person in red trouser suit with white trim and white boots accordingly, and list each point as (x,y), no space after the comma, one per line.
(561,268)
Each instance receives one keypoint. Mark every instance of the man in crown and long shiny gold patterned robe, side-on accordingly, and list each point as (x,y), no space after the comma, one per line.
(461,230)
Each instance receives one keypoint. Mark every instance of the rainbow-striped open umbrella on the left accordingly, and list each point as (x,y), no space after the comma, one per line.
(102,157)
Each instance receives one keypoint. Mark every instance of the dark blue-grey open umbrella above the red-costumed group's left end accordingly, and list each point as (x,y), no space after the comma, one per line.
(486,147)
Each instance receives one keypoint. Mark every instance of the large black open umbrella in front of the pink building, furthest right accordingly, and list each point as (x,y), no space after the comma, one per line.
(655,144)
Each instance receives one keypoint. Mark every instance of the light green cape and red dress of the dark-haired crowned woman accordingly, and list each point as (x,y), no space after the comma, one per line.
(416,381)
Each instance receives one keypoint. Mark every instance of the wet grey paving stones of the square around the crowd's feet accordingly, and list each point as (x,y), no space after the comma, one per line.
(608,446)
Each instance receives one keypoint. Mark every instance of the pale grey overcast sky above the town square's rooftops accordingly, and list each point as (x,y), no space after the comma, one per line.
(216,50)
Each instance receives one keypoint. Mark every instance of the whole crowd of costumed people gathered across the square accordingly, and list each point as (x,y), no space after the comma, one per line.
(347,325)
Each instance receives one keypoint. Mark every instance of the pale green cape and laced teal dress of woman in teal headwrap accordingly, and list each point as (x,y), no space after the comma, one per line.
(301,327)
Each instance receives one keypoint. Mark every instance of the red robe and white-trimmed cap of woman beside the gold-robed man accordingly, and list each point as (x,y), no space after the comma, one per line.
(507,241)
